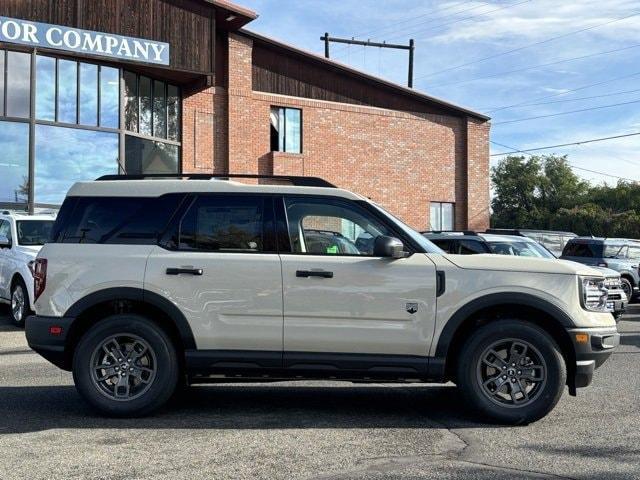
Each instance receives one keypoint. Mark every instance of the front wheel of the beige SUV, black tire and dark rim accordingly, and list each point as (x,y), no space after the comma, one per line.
(502,400)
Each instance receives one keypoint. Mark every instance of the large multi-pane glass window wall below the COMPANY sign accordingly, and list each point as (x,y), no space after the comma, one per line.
(76,130)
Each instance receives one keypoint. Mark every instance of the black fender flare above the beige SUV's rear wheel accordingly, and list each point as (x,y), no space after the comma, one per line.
(138,295)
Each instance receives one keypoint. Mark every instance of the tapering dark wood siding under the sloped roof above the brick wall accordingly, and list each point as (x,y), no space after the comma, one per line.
(282,72)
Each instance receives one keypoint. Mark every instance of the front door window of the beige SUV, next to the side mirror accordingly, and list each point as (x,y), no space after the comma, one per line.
(331,227)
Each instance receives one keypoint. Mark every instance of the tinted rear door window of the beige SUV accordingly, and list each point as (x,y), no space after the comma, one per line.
(222,223)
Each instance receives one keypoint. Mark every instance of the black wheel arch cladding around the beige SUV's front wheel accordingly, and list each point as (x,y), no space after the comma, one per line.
(515,306)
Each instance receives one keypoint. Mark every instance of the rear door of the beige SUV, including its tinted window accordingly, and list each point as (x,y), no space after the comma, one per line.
(218,263)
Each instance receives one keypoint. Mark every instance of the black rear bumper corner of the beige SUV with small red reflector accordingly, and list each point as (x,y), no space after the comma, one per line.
(51,346)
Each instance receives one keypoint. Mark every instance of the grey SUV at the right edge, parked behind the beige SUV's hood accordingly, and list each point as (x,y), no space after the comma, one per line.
(619,254)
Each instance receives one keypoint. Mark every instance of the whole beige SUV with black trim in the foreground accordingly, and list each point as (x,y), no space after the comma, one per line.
(147,282)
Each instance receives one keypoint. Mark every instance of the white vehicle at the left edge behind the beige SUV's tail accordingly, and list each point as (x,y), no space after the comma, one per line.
(21,237)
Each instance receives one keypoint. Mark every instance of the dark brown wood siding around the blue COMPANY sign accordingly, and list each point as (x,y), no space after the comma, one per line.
(187,25)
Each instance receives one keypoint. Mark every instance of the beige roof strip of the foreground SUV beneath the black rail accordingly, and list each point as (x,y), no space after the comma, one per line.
(156,187)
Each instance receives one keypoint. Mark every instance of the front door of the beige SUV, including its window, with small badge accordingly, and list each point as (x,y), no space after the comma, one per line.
(340,299)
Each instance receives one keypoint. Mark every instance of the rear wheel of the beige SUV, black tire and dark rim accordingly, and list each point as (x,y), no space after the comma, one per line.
(135,381)
